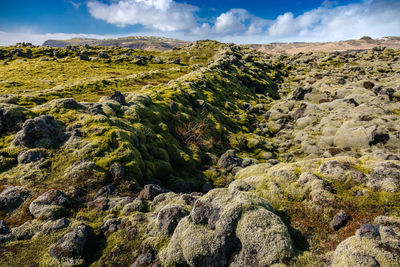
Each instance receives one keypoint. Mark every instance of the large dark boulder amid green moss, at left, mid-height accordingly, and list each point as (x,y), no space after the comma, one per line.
(43,131)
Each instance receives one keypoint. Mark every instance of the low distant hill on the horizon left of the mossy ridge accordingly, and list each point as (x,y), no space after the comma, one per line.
(137,42)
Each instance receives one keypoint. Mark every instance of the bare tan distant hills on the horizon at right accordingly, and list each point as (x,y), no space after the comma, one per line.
(364,43)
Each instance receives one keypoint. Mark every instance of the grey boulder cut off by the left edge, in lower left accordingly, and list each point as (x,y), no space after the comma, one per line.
(12,197)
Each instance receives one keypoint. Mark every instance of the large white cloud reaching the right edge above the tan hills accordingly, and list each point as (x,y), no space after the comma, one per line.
(331,22)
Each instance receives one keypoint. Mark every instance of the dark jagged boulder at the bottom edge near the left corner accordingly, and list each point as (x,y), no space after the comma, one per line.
(69,248)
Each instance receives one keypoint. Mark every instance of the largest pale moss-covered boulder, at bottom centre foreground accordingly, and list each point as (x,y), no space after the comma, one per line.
(229,227)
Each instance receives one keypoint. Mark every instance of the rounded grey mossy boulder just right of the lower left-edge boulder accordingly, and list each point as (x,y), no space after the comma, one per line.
(51,204)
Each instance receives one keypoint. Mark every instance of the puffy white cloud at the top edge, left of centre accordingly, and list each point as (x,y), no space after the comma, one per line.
(163,15)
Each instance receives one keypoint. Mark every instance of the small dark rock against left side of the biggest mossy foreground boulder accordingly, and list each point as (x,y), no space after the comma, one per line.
(169,217)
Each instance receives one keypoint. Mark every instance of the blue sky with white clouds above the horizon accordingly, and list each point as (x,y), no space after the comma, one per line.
(238,21)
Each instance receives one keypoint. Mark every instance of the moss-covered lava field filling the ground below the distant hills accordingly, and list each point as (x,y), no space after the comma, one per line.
(207,155)
